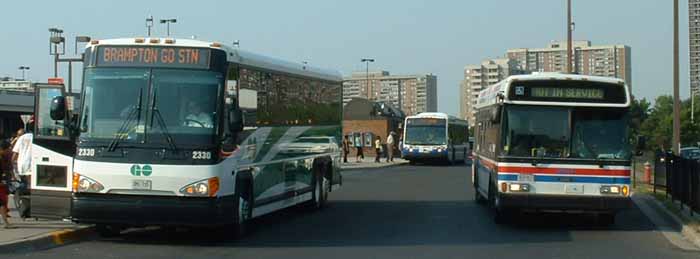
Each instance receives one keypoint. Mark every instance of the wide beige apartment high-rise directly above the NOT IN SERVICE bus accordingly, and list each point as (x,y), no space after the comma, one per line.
(604,60)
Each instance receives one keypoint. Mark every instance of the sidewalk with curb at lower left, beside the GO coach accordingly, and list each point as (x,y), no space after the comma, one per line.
(32,234)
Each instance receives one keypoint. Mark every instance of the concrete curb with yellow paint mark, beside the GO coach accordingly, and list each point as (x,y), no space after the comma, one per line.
(48,240)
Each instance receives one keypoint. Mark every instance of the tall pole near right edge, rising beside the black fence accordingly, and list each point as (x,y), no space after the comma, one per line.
(676,95)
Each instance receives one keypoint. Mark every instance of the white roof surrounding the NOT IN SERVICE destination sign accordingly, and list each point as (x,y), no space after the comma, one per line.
(490,95)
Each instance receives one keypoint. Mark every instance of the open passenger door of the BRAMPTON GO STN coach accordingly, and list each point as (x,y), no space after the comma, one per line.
(53,149)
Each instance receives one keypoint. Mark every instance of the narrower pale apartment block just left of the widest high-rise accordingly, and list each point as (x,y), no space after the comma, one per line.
(479,76)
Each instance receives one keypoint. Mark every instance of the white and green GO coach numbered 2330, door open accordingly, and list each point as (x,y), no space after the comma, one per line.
(176,132)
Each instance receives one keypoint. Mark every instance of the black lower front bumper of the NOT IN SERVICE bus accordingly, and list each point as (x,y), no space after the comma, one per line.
(565,202)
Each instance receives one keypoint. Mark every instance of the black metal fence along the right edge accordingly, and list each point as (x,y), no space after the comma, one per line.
(680,178)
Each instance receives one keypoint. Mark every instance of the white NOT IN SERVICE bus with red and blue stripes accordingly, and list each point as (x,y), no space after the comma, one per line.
(553,142)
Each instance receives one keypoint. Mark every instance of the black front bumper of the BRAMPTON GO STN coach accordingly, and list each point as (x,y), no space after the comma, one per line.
(137,210)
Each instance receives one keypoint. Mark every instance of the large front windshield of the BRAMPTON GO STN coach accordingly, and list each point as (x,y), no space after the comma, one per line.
(148,103)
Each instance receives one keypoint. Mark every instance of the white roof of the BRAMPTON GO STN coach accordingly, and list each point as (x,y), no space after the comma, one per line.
(234,55)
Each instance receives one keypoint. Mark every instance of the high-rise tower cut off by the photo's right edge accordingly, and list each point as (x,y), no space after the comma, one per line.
(694,47)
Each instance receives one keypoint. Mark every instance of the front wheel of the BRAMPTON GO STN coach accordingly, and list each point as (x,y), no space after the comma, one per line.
(244,208)
